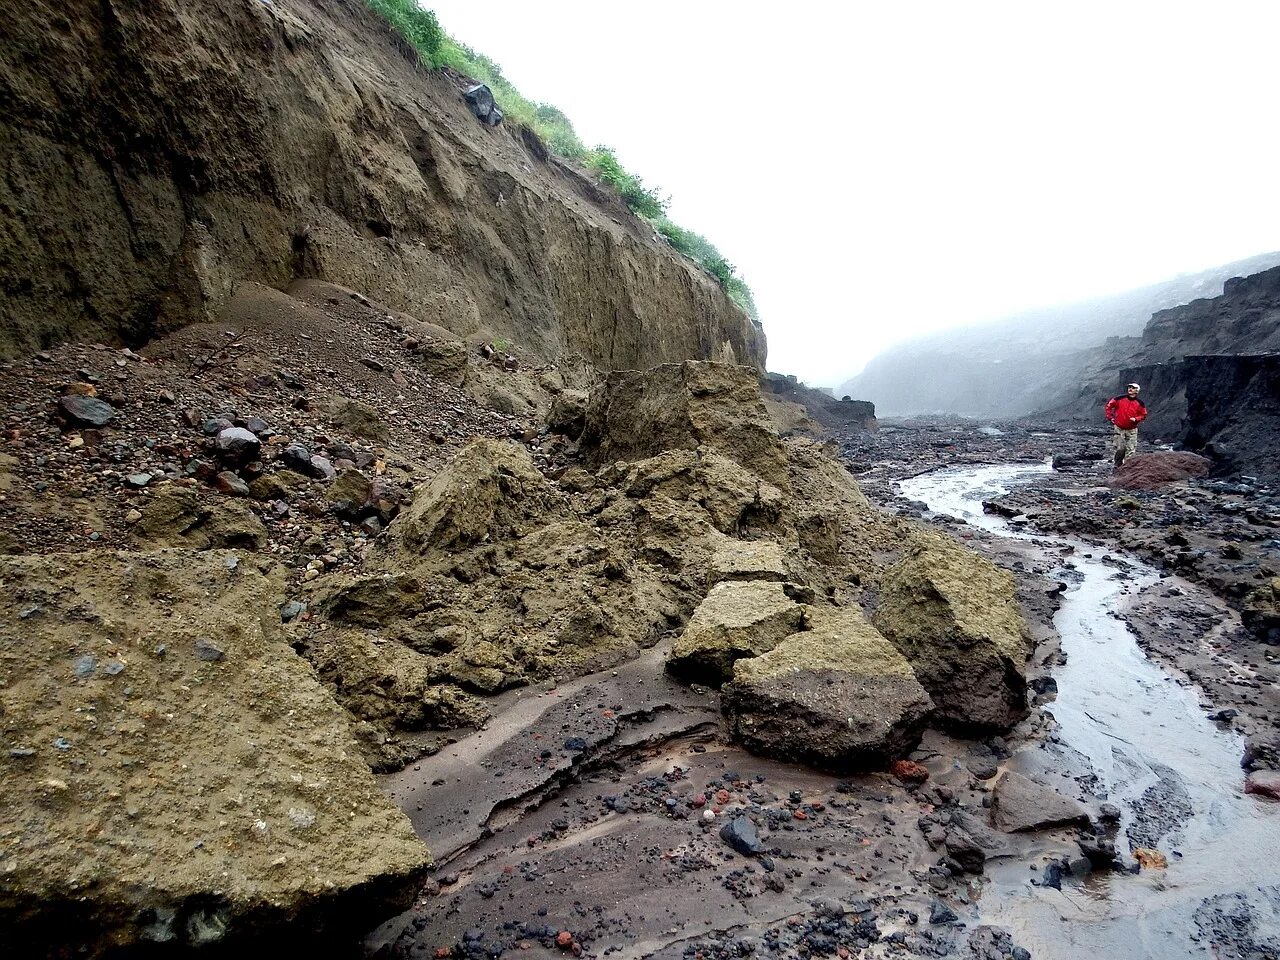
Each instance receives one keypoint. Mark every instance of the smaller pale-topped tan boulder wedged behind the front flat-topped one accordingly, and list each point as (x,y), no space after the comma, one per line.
(737,620)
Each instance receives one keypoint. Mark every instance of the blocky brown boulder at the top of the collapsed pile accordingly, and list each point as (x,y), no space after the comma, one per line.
(634,415)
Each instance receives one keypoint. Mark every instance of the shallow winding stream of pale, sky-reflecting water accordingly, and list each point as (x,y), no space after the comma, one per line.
(1148,739)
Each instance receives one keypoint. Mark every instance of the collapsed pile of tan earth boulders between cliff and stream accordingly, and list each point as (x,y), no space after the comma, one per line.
(836,632)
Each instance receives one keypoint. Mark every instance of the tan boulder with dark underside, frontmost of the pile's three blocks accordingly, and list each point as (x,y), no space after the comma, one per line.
(838,696)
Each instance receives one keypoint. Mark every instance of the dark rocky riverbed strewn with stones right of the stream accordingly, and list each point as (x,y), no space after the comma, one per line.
(1220,534)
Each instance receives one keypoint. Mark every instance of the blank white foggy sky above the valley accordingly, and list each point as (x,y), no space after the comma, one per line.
(880,170)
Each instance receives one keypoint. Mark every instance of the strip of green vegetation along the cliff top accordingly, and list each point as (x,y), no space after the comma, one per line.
(437,49)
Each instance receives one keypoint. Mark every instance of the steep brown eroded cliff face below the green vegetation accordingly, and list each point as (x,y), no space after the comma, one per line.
(159,154)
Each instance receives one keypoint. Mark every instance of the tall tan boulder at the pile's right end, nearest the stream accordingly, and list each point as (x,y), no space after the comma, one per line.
(954,616)
